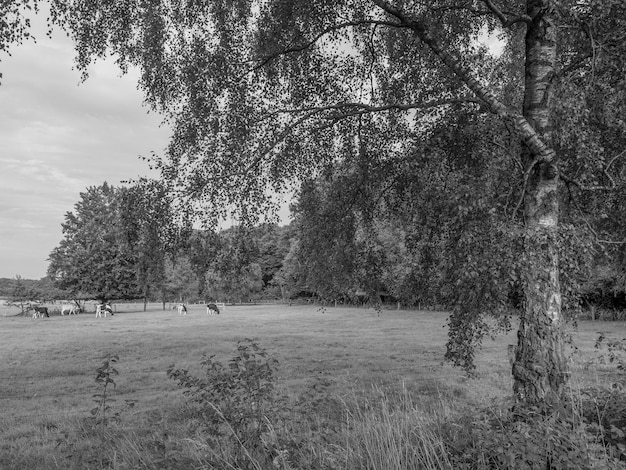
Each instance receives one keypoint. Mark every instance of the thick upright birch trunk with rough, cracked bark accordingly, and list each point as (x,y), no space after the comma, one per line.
(539,370)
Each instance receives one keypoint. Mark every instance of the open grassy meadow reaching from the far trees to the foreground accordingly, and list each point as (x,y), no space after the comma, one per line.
(336,358)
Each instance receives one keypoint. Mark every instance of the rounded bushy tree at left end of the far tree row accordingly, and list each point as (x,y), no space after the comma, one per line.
(93,259)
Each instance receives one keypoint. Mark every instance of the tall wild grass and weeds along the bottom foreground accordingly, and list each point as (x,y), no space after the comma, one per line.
(385,431)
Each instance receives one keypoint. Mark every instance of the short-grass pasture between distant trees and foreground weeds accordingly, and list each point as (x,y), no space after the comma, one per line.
(48,365)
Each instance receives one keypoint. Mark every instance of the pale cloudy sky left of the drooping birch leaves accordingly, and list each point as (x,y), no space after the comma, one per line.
(58,137)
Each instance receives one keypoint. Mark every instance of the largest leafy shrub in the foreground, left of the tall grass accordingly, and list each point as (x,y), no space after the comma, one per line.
(237,402)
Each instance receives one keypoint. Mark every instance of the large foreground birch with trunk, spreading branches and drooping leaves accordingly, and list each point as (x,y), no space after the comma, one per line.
(262,93)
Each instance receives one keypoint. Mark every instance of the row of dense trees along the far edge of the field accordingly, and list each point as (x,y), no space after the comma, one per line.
(348,243)
